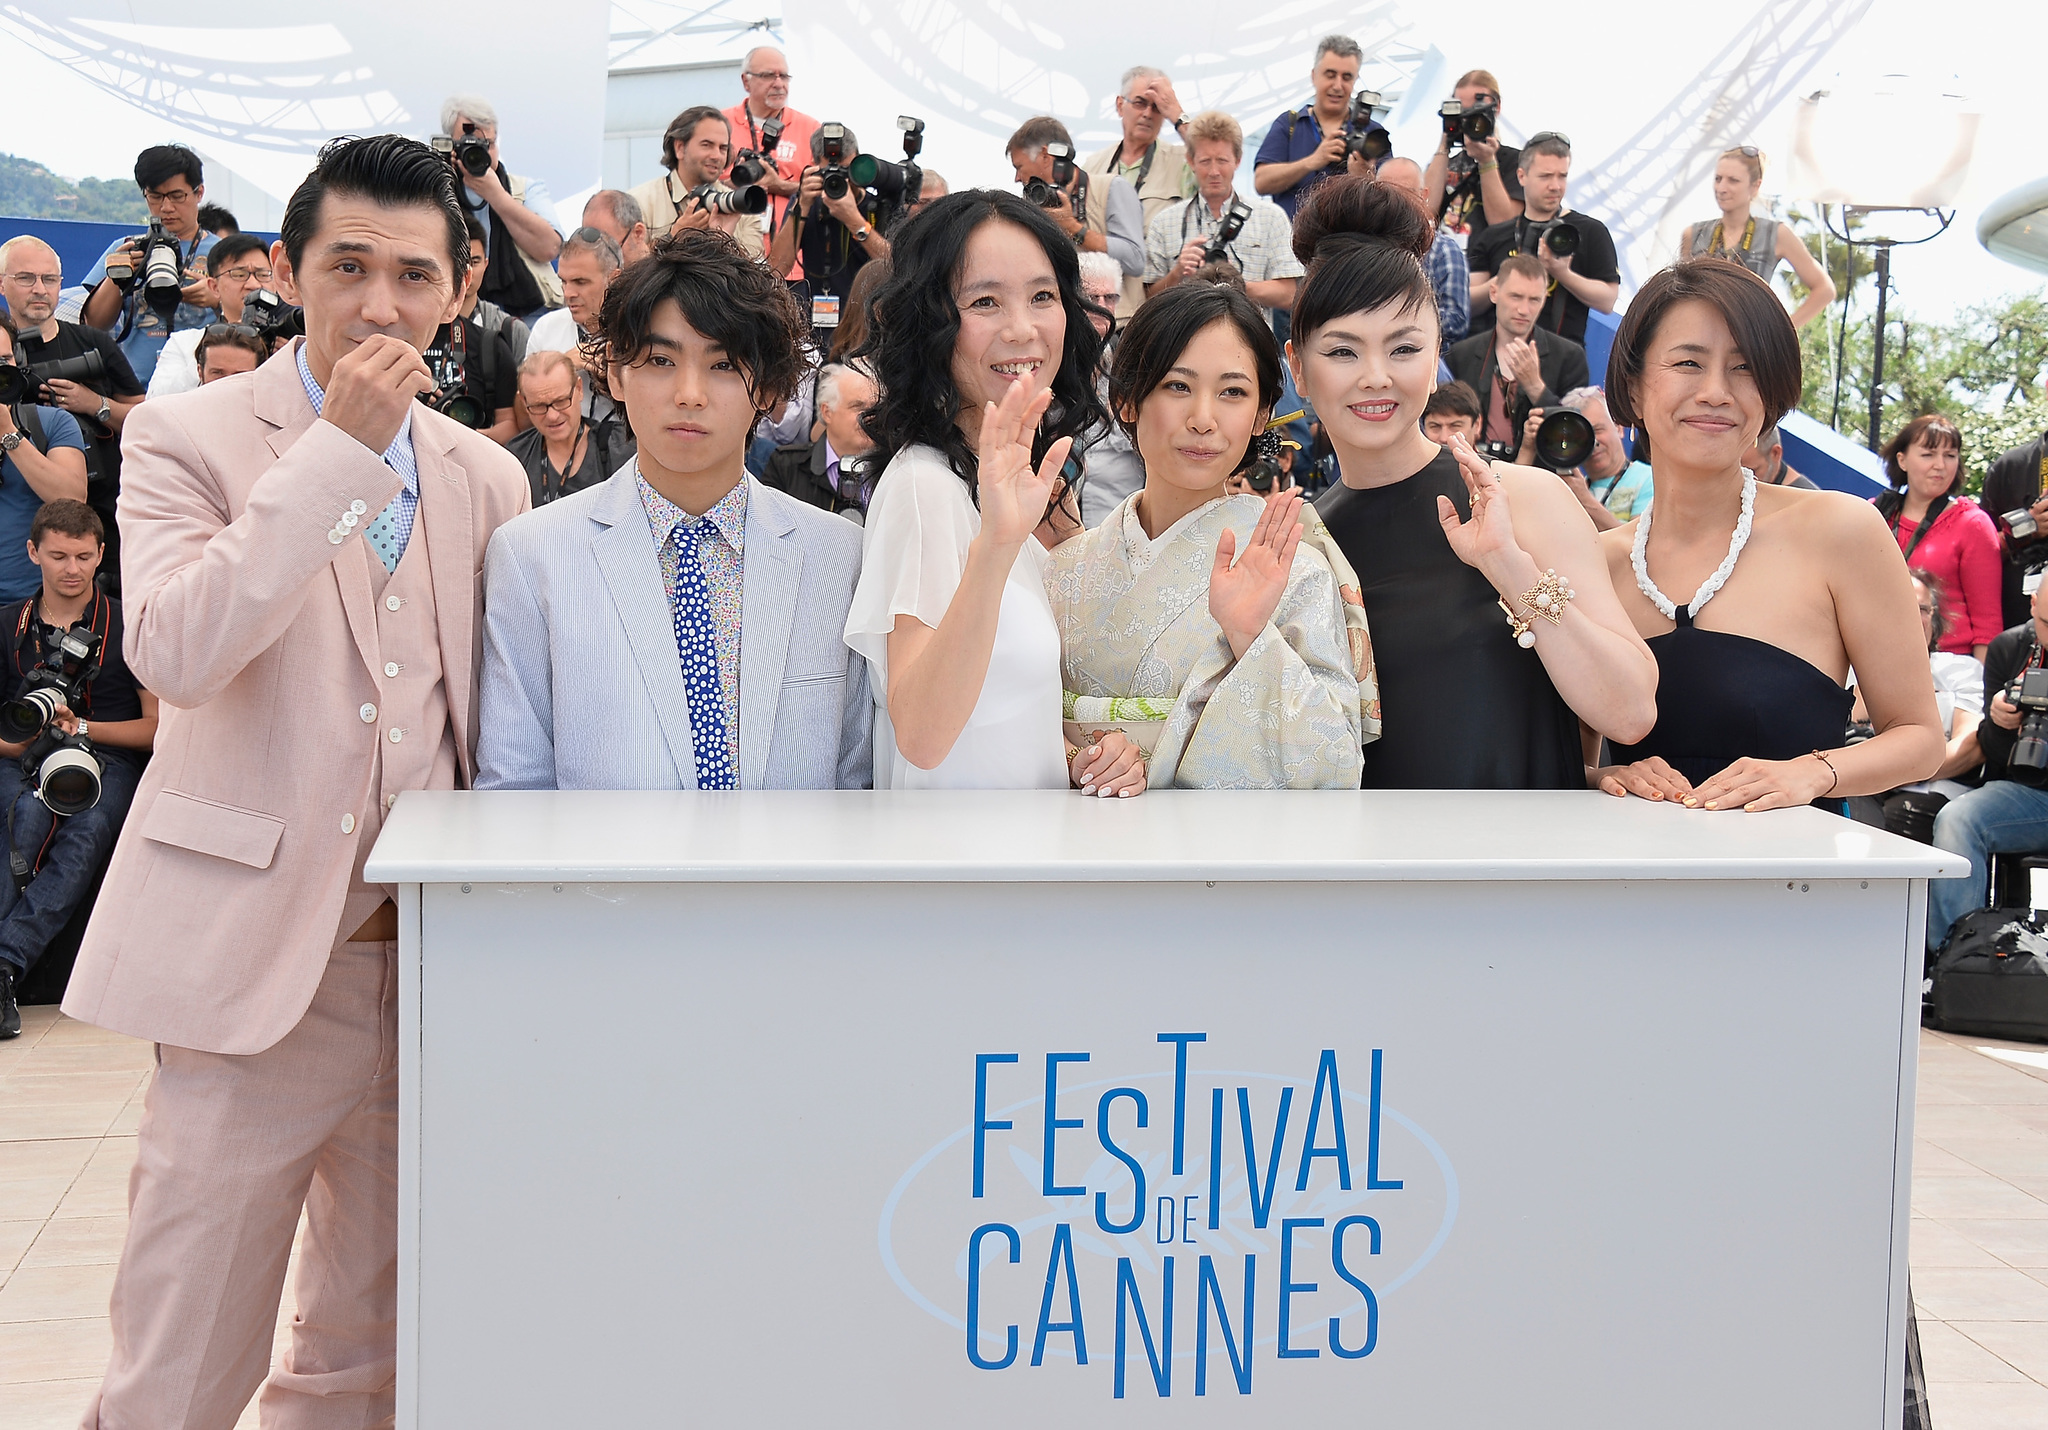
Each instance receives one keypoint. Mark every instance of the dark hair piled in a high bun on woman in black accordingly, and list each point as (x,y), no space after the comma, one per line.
(1363,245)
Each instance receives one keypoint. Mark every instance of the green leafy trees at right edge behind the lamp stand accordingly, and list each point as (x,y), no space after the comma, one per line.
(1981,368)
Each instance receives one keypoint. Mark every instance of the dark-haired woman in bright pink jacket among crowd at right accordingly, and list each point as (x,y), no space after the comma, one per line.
(1943,532)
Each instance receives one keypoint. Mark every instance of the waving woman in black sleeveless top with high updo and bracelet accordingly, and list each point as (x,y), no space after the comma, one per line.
(1474,696)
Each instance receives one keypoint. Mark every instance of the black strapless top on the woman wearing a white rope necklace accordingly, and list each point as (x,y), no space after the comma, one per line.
(1727,698)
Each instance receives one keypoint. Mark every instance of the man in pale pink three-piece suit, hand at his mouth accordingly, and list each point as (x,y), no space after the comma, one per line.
(302,569)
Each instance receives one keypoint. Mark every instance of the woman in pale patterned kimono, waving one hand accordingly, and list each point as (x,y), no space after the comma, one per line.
(1195,622)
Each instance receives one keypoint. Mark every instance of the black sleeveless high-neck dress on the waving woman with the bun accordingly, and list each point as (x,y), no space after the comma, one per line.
(1465,708)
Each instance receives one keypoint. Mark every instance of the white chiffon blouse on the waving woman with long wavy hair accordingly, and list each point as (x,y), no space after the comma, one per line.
(912,558)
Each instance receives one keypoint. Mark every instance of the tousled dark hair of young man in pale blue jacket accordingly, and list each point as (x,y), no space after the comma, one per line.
(724,294)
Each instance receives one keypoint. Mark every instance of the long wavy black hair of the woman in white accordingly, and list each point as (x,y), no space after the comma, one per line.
(916,323)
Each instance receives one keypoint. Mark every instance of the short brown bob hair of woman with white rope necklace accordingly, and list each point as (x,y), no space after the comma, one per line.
(1756,321)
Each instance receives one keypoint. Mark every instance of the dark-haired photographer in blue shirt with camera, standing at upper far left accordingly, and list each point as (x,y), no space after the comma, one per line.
(146,288)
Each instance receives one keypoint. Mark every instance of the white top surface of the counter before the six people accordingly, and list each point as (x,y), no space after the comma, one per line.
(959,837)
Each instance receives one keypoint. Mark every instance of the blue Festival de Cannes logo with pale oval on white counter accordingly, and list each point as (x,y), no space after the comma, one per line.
(1172,1226)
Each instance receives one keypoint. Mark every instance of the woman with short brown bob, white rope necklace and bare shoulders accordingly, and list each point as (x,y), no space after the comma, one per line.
(1803,585)
